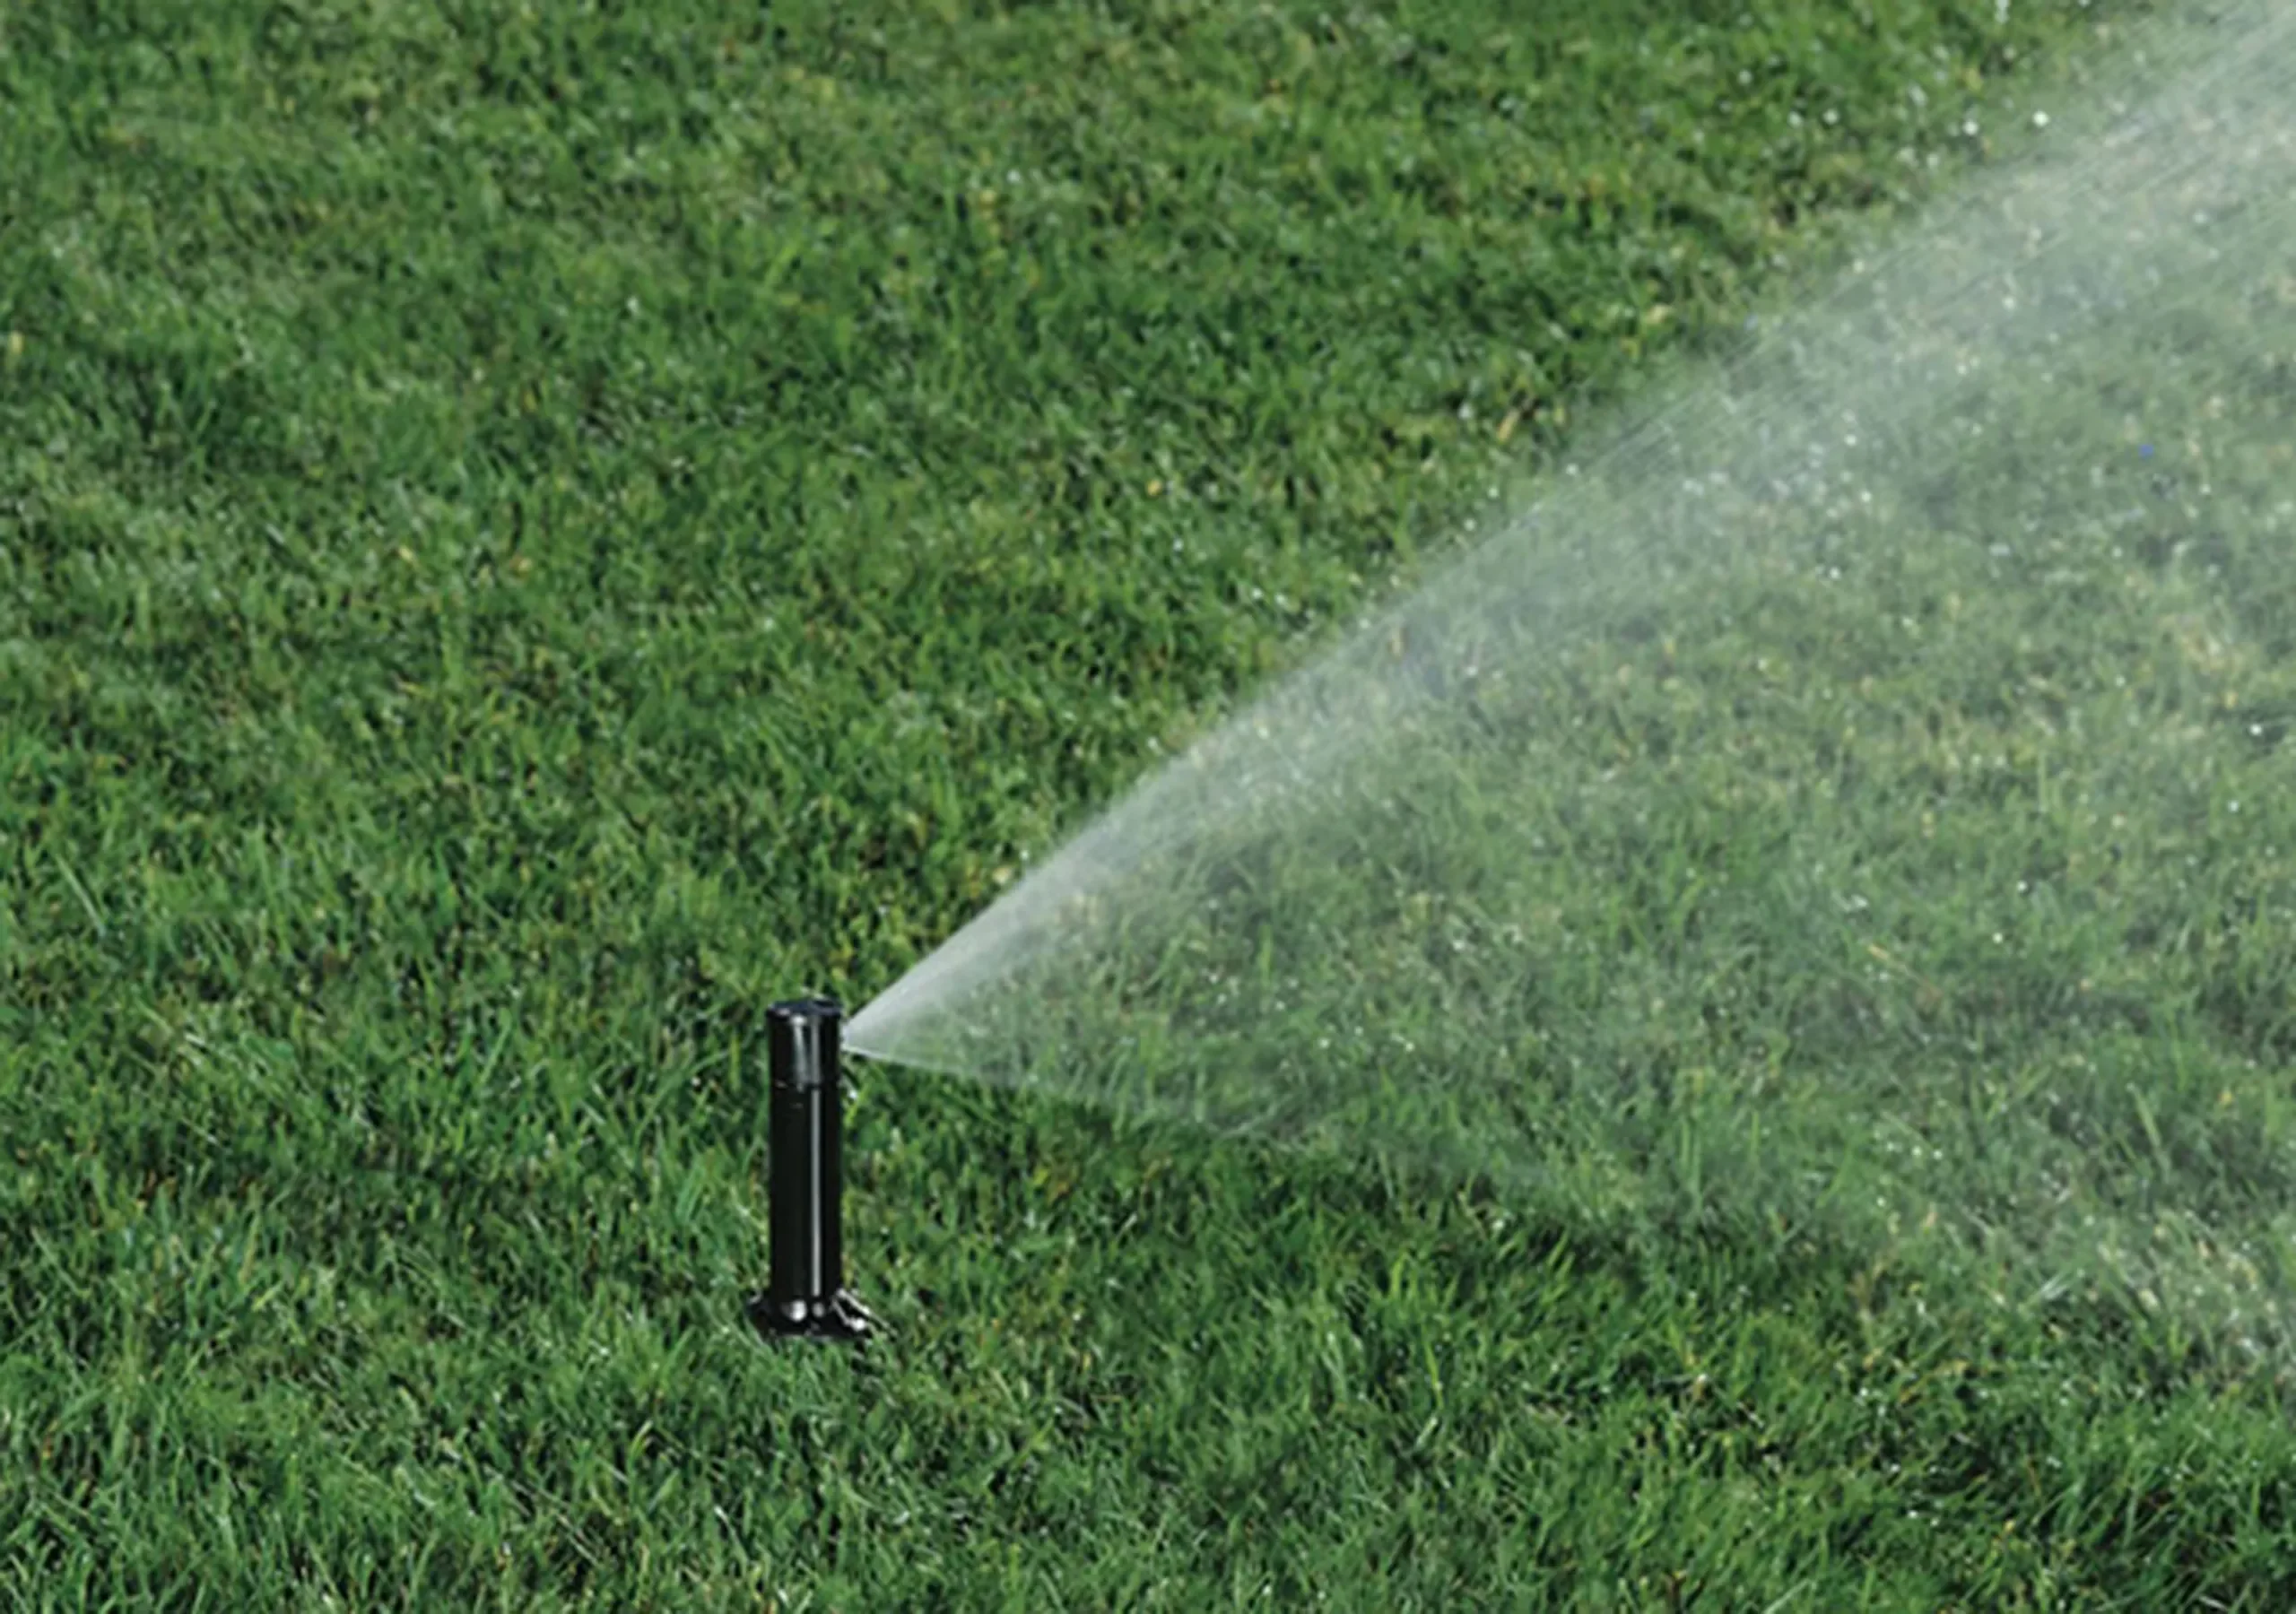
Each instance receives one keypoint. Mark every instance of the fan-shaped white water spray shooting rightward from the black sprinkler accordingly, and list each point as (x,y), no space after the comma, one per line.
(1624,864)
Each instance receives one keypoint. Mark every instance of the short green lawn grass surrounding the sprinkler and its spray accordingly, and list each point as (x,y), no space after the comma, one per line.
(532,534)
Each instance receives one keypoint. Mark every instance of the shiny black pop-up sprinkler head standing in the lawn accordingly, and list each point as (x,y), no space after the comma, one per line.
(807,1296)
